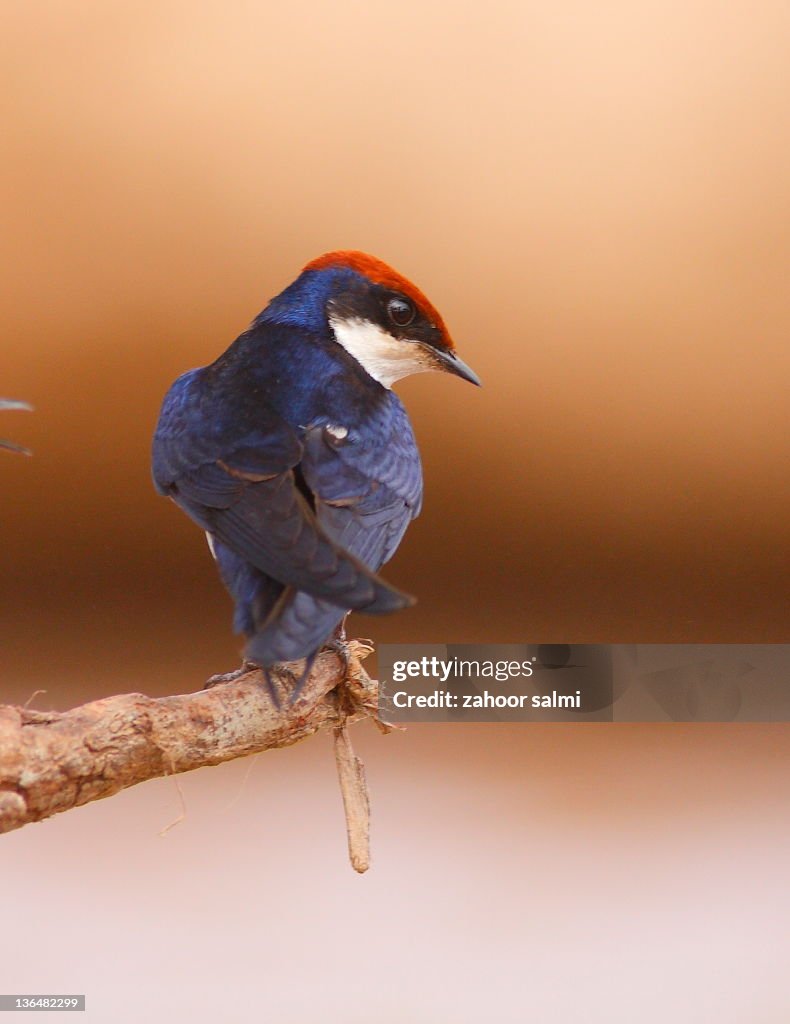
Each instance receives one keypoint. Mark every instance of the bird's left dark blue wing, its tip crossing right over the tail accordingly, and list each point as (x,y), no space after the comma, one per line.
(235,471)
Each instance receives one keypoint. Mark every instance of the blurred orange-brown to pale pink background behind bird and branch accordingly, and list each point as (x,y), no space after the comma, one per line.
(596,197)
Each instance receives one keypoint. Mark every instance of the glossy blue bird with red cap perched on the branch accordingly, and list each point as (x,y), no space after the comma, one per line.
(295,456)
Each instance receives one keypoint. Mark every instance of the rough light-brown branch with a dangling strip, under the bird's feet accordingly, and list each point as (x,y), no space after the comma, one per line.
(54,761)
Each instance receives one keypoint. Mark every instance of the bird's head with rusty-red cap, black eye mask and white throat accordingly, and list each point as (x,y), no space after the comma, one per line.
(380,318)
